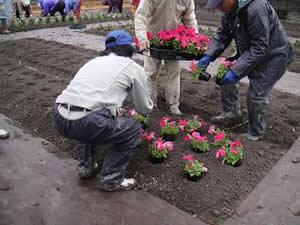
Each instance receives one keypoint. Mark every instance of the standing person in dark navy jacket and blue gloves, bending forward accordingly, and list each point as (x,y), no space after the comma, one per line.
(264,52)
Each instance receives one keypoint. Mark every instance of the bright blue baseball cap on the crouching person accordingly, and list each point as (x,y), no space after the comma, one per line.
(117,37)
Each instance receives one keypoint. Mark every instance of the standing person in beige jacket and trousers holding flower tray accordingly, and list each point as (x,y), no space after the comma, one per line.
(154,16)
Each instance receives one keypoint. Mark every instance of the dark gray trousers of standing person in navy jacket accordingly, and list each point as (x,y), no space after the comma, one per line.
(262,81)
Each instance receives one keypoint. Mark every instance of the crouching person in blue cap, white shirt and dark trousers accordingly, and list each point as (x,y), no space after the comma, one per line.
(88,110)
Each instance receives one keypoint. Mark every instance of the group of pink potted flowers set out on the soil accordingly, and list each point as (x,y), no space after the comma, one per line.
(230,151)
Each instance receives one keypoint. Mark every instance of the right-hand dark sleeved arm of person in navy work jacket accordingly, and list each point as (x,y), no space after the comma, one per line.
(259,31)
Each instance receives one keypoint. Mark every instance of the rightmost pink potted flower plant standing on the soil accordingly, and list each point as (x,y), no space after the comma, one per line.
(233,154)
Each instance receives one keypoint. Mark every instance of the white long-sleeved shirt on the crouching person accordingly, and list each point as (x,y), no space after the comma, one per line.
(105,82)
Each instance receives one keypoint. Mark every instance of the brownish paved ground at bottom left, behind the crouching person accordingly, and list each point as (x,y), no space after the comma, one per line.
(38,188)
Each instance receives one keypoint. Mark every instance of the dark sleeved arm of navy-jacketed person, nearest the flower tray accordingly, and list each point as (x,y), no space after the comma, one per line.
(221,41)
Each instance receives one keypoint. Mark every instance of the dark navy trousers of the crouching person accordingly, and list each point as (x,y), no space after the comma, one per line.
(101,127)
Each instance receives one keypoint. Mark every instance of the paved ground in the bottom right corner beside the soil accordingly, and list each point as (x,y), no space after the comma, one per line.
(276,199)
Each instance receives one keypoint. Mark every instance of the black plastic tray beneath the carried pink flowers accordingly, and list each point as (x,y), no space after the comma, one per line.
(171,55)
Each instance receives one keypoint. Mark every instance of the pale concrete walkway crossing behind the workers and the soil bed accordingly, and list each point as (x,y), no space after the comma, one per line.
(290,82)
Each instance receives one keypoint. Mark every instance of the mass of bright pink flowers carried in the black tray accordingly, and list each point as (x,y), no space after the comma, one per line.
(182,39)
